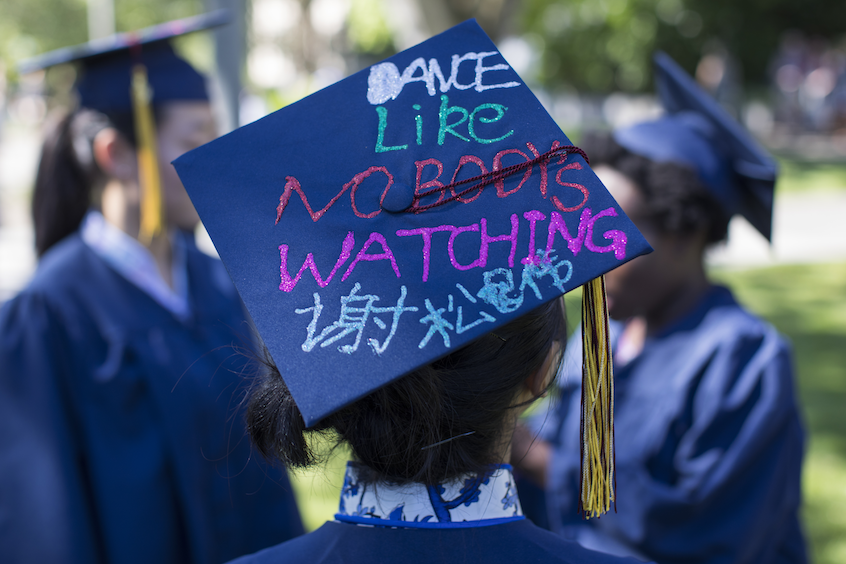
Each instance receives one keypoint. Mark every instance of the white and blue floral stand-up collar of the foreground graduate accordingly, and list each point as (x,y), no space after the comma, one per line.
(474,501)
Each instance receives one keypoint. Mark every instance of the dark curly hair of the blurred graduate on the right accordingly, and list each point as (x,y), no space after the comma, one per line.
(677,201)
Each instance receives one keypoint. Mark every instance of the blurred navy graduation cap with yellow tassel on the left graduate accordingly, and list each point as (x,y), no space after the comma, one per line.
(132,72)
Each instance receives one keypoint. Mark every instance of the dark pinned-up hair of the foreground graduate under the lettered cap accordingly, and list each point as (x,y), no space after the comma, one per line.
(400,431)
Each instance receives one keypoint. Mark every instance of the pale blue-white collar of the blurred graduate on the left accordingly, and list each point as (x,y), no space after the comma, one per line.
(134,262)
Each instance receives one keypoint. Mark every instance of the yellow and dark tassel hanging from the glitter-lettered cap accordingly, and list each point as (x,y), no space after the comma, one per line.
(597,476)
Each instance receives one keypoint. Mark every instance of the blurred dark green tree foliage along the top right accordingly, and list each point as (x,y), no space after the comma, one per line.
(604,45)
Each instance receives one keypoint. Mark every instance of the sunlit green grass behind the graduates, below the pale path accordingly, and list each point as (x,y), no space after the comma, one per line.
(807,303)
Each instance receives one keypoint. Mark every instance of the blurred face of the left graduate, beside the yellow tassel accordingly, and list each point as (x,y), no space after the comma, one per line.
(183,126)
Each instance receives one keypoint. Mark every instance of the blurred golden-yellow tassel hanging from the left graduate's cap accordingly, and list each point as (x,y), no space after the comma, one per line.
(152,211)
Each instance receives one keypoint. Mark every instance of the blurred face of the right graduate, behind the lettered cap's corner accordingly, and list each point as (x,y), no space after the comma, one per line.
(642,286)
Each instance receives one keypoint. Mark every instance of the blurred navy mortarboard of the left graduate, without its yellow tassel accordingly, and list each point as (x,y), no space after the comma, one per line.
(106,65)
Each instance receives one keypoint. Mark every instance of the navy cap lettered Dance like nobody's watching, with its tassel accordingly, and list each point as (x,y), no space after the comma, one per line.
(399,214)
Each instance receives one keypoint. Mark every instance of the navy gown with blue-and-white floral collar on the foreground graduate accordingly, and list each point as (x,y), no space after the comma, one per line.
(476,520)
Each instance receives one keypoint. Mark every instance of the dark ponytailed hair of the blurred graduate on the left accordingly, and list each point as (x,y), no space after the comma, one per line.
(67,172)
